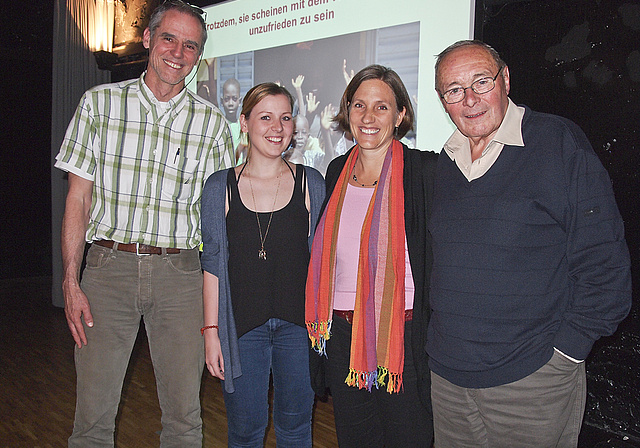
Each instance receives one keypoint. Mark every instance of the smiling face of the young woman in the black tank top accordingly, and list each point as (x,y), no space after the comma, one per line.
(269,126)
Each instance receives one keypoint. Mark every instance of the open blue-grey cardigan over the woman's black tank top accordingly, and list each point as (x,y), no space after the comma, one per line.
(215,257)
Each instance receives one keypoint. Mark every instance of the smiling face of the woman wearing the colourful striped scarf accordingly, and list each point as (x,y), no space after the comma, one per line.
(373,115)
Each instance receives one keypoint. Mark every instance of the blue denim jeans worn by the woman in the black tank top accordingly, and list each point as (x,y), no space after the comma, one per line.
(280,348)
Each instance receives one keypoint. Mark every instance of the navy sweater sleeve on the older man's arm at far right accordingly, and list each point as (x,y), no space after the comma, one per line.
(597,254)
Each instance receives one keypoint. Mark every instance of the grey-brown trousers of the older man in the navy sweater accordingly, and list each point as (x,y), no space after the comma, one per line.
(544,409)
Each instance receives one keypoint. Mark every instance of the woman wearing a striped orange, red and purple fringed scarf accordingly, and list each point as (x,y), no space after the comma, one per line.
(367,304)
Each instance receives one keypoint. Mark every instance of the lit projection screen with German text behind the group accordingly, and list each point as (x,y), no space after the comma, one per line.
(316,44)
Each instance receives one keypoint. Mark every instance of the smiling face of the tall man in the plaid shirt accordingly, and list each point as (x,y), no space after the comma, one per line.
(173,51)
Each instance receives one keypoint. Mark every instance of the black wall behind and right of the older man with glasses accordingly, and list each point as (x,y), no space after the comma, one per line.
(581,59)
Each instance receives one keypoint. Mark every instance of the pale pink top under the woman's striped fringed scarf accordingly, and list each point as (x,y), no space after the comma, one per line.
(354,210)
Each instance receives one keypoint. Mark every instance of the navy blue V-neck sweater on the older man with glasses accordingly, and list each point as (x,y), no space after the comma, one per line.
(528,257)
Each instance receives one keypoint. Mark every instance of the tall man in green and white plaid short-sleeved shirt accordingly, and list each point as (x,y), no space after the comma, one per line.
(137,154)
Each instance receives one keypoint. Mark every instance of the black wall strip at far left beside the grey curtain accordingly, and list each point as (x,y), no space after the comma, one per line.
(26,38)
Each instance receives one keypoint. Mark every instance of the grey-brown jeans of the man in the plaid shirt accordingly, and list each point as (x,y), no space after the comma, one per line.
(121,288)
